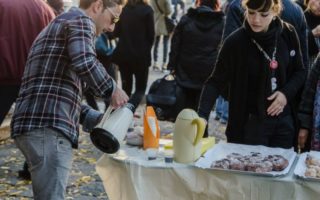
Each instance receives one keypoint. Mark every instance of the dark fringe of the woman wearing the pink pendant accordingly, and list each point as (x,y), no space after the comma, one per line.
(263,5)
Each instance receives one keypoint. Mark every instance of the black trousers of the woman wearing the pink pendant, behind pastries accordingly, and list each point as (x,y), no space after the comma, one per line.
(272,132)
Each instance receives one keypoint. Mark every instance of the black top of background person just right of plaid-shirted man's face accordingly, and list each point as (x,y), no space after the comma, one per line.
(135,31)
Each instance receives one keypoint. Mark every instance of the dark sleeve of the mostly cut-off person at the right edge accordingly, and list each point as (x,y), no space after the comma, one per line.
(306,107)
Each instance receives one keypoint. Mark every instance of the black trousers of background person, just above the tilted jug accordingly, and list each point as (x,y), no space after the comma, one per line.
(141,78)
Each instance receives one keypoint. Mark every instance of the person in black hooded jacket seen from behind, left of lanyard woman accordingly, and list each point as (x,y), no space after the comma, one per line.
(194,47)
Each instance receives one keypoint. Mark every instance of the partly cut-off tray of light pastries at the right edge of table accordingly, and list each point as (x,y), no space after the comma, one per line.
(308,166)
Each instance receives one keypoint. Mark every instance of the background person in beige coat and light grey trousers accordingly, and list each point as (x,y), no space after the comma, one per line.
(161,9)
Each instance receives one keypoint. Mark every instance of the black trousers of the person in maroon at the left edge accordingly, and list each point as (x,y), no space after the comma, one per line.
(8,94)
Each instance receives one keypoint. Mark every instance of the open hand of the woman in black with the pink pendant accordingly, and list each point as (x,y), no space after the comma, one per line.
(279,102)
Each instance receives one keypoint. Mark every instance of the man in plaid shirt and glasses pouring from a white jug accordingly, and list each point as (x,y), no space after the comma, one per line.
(45,124)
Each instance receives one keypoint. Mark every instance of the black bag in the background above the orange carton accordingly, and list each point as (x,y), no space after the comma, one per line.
(166,97)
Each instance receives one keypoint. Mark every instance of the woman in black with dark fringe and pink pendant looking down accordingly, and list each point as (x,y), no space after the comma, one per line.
(260,69)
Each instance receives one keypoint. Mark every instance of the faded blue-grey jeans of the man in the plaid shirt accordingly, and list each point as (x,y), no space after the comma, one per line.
(49,156)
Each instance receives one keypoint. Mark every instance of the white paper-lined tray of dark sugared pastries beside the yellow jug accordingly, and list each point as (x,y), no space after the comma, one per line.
(248,159)
